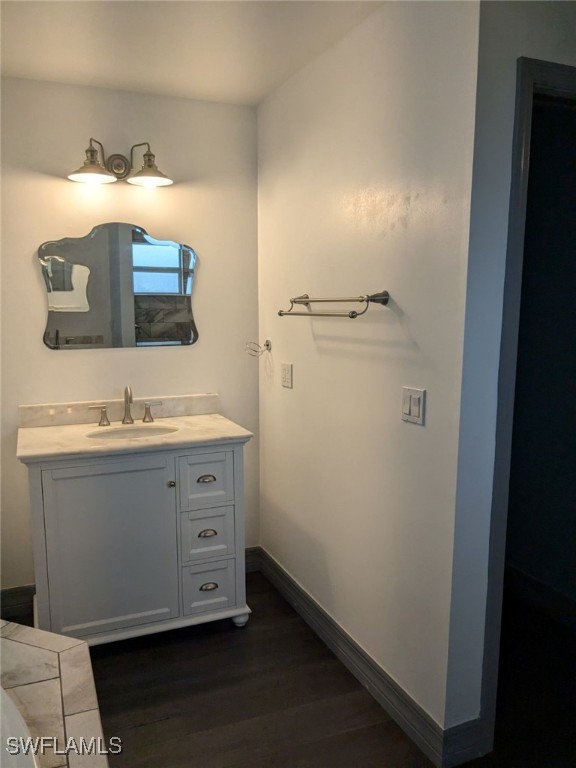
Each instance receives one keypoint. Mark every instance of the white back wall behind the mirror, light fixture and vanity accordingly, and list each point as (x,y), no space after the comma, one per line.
(210,150)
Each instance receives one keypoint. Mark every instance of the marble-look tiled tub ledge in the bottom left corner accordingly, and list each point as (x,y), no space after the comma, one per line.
(49,679)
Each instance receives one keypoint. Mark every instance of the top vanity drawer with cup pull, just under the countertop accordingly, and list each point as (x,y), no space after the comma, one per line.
(206,480)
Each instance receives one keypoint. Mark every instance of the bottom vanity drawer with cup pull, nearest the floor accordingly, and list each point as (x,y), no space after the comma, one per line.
(209,587)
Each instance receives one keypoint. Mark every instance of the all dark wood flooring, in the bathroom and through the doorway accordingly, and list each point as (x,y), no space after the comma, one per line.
(272,695)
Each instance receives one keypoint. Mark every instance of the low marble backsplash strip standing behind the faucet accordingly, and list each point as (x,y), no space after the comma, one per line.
(60,414)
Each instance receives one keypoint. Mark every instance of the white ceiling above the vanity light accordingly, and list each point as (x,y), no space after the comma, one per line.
(233,51)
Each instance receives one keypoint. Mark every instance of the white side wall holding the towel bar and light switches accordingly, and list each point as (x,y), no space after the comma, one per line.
(364,184)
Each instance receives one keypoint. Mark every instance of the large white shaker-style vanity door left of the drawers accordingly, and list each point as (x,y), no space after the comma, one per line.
(111,544)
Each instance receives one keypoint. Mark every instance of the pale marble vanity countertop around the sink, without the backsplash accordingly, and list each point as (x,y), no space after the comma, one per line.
(74,440)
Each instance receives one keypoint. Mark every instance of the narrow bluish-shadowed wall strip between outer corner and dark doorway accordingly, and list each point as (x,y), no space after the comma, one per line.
(508,30)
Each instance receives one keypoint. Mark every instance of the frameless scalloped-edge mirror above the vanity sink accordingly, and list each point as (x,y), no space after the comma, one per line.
(118,287)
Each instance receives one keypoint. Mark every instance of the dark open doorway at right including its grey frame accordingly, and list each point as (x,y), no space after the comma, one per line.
(534,505)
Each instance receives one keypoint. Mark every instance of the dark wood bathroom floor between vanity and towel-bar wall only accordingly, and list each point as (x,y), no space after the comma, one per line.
(270,695)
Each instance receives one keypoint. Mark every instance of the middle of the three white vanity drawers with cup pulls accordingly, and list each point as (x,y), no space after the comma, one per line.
(209,533)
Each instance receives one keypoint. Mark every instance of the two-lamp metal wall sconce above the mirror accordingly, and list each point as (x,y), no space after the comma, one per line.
(118,167)
